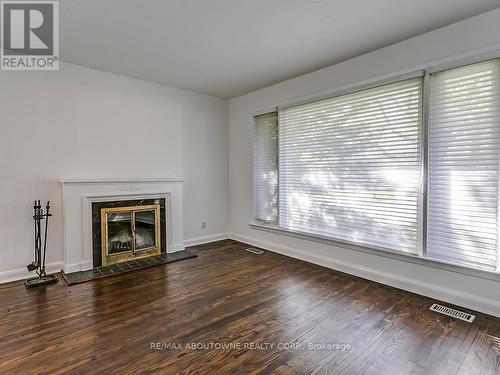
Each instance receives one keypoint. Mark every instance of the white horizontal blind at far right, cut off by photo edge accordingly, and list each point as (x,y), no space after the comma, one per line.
(463,165)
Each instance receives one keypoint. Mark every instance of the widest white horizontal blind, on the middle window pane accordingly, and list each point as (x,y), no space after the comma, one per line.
(350,166)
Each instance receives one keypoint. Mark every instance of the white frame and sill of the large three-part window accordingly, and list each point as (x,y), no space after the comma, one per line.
(421,257)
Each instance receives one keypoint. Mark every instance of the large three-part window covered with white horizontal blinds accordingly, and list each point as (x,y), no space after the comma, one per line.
(369,168)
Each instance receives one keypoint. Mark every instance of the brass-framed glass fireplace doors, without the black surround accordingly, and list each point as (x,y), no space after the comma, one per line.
(129,232)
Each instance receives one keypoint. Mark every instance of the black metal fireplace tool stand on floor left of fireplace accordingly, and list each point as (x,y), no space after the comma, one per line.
(38,264)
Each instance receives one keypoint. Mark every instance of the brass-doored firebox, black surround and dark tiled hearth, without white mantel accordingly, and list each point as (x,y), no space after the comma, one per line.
(127,235)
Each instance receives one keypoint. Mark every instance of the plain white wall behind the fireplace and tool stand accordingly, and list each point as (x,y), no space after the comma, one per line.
(82,123)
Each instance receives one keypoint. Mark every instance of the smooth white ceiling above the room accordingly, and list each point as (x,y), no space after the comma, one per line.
(229,47)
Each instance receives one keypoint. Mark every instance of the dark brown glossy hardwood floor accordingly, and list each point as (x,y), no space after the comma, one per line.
(224,301)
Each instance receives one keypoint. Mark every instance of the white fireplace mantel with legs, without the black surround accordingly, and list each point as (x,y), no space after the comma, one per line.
(78,196)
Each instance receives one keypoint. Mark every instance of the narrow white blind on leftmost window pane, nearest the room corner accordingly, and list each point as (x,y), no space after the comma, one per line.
(265,167)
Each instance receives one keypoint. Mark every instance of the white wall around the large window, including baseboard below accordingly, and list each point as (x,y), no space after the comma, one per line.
(467,37)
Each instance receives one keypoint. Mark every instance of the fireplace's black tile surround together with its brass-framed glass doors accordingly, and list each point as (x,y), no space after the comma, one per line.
(127,229)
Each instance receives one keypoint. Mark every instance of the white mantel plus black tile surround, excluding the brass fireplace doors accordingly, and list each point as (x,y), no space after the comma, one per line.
(82,203)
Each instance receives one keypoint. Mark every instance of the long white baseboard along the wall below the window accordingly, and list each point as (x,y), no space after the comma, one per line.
(456,297)
